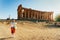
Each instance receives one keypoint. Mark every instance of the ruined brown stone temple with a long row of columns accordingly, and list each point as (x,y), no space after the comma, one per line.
(28,13)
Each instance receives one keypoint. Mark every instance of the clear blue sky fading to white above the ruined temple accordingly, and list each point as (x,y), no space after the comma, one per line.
(9,7)
